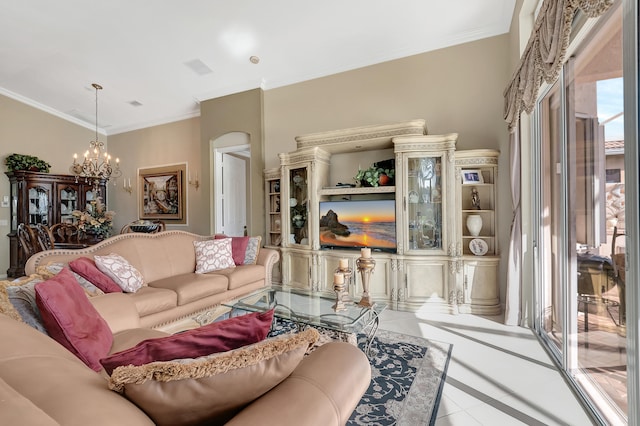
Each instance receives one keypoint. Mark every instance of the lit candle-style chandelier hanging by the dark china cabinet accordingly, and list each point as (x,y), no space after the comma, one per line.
(96,166)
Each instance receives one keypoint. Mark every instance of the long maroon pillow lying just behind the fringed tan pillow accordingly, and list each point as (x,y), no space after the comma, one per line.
(221,336)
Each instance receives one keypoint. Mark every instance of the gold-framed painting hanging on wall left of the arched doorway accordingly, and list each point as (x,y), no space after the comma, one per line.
(162,193)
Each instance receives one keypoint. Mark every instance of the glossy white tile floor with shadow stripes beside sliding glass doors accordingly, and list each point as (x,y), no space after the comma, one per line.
(498,374)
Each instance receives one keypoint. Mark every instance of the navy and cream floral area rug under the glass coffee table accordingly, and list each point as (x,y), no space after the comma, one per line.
(408,375)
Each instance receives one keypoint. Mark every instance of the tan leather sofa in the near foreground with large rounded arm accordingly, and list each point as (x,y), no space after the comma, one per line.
(42,383)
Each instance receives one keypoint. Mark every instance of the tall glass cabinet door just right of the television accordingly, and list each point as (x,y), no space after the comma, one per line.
(424,203)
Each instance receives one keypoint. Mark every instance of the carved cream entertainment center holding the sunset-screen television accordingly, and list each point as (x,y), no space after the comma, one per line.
(428,253)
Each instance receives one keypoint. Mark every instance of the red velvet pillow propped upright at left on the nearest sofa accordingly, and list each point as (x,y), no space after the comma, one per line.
(71,319)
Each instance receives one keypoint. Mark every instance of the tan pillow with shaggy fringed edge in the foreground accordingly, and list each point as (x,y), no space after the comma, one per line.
(215,386)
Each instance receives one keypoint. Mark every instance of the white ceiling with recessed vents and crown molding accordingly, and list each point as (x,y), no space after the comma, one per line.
(51,51)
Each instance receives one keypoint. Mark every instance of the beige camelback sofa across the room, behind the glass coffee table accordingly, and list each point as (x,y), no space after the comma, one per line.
(173,292)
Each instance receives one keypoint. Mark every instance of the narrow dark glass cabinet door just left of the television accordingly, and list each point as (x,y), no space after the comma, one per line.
(298,206)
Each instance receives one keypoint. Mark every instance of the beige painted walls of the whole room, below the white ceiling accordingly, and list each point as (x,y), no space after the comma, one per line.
(458,89)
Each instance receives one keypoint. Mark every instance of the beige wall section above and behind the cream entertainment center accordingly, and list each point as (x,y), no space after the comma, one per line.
(457,89)
